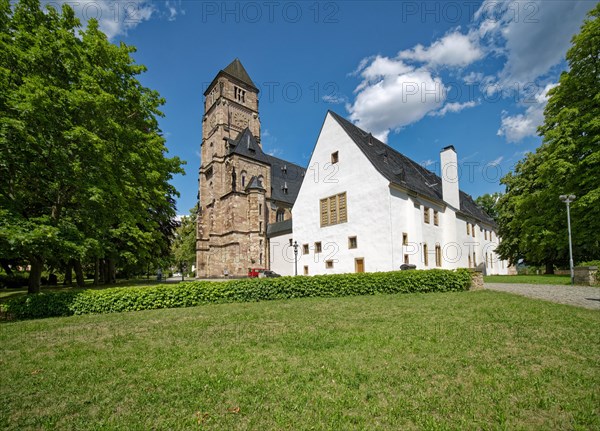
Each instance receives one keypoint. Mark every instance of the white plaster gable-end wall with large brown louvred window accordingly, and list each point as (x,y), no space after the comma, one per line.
(366,193)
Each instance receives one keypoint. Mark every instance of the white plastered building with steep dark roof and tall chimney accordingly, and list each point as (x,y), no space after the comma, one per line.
(363,206)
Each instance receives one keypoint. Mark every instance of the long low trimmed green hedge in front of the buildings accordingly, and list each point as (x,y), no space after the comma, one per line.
(195,293)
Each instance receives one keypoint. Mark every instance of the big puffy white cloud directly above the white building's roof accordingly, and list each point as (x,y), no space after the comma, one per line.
(394,95)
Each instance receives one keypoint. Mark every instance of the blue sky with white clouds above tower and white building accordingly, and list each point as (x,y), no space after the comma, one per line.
(420,75)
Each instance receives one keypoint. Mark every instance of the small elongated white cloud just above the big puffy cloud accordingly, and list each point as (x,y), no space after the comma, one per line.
(454,49)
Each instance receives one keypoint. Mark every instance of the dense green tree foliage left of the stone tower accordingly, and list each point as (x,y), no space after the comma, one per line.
(83,171)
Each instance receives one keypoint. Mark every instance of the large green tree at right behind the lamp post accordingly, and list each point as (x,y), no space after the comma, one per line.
(532,219)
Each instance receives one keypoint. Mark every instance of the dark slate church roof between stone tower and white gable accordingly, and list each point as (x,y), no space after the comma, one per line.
(284,175)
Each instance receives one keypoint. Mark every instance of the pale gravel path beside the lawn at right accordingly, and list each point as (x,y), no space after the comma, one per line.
(580,296)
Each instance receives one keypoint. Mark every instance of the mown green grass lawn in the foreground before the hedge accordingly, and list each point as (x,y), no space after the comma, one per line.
(469,360)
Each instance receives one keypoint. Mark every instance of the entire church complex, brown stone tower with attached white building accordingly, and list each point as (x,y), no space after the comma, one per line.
(362,206)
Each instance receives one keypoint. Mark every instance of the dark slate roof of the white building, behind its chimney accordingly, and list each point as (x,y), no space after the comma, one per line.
(404,172)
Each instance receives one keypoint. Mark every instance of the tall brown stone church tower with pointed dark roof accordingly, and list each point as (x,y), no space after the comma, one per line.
(234,182)
